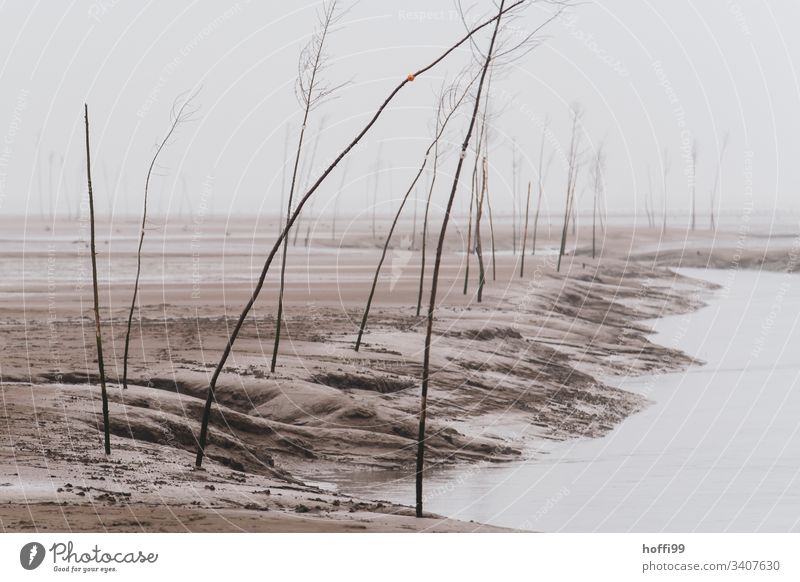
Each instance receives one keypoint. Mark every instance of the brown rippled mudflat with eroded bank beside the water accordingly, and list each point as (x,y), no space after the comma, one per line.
(539,351)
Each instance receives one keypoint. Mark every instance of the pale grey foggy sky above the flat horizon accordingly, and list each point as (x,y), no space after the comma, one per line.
(648,75)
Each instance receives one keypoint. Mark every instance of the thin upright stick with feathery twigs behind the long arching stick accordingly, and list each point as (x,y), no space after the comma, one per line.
(310,94)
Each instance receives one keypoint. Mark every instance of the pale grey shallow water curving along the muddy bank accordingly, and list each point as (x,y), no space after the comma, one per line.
(718,450)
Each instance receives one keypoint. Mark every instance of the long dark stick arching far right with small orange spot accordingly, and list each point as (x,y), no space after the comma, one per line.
(210,395)
